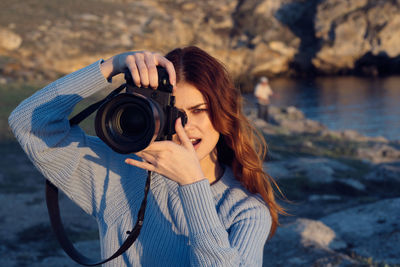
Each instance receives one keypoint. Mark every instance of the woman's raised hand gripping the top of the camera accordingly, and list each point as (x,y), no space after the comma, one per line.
(141,64)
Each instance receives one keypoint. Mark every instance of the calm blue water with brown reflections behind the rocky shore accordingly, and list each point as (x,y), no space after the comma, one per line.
(369,106)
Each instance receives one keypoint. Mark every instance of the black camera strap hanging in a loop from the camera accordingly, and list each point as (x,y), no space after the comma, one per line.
(54,209)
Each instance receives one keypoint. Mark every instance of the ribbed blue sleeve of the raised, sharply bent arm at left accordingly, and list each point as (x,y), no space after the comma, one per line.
(80,165)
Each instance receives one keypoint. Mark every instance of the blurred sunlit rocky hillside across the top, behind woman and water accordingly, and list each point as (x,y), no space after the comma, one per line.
(42,39)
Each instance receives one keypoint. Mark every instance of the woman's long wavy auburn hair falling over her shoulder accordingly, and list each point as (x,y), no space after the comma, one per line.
(240,145)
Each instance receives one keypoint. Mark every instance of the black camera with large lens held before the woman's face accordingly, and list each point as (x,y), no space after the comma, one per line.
(130,121)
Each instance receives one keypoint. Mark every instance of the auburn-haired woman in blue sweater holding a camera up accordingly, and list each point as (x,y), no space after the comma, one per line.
(204,206)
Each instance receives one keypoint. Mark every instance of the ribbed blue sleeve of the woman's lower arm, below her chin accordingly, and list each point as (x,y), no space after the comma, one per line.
(210,242)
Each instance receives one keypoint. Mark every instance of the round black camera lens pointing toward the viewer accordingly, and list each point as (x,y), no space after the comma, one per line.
(128,123)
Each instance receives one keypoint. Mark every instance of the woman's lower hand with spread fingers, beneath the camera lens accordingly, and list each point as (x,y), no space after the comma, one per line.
(177,162)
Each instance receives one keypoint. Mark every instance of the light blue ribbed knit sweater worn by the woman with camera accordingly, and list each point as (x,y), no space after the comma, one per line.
(192,225)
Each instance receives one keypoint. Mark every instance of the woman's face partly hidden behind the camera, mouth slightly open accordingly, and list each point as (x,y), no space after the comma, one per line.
(199,128)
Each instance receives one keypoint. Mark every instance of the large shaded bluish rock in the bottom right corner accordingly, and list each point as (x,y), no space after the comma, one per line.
(373,230)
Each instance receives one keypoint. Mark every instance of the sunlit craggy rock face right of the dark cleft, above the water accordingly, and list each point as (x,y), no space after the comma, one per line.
(352,30)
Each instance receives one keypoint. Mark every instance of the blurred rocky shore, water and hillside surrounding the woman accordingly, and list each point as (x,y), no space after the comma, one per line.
(334,67)
